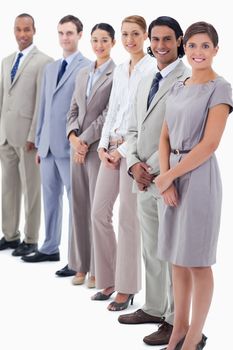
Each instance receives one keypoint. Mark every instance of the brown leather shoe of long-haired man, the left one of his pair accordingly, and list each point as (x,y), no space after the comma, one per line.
(139,317)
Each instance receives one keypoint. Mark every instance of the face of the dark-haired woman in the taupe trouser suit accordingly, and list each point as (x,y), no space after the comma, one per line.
(102,44)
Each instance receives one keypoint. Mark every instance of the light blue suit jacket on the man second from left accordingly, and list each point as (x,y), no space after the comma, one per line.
(54,106)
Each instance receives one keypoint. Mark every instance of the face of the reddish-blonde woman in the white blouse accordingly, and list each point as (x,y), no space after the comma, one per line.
(133,37)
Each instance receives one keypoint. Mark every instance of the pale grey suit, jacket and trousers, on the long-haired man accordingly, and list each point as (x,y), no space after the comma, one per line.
(143,142)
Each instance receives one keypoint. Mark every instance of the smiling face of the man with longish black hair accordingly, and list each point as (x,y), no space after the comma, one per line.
(164,45)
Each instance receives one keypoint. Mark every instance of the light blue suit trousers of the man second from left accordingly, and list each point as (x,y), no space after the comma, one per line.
(55,174)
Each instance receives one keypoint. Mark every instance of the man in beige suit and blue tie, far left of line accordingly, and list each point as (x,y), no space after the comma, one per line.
(19,95)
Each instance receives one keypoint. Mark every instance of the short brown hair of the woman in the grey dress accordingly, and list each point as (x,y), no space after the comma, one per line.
(201,28)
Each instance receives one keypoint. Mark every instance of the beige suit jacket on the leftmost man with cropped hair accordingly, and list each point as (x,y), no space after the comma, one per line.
(19,100)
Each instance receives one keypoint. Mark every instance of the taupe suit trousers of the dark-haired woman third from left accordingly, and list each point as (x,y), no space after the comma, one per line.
(83,181)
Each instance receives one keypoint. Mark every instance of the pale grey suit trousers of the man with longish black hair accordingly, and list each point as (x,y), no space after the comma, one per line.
(158,293)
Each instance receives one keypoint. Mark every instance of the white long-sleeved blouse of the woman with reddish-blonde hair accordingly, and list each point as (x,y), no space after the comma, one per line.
(121,100)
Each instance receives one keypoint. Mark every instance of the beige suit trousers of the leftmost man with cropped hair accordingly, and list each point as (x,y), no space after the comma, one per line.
(20,175)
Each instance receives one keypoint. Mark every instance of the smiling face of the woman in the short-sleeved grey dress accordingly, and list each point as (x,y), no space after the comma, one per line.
(200,51)
